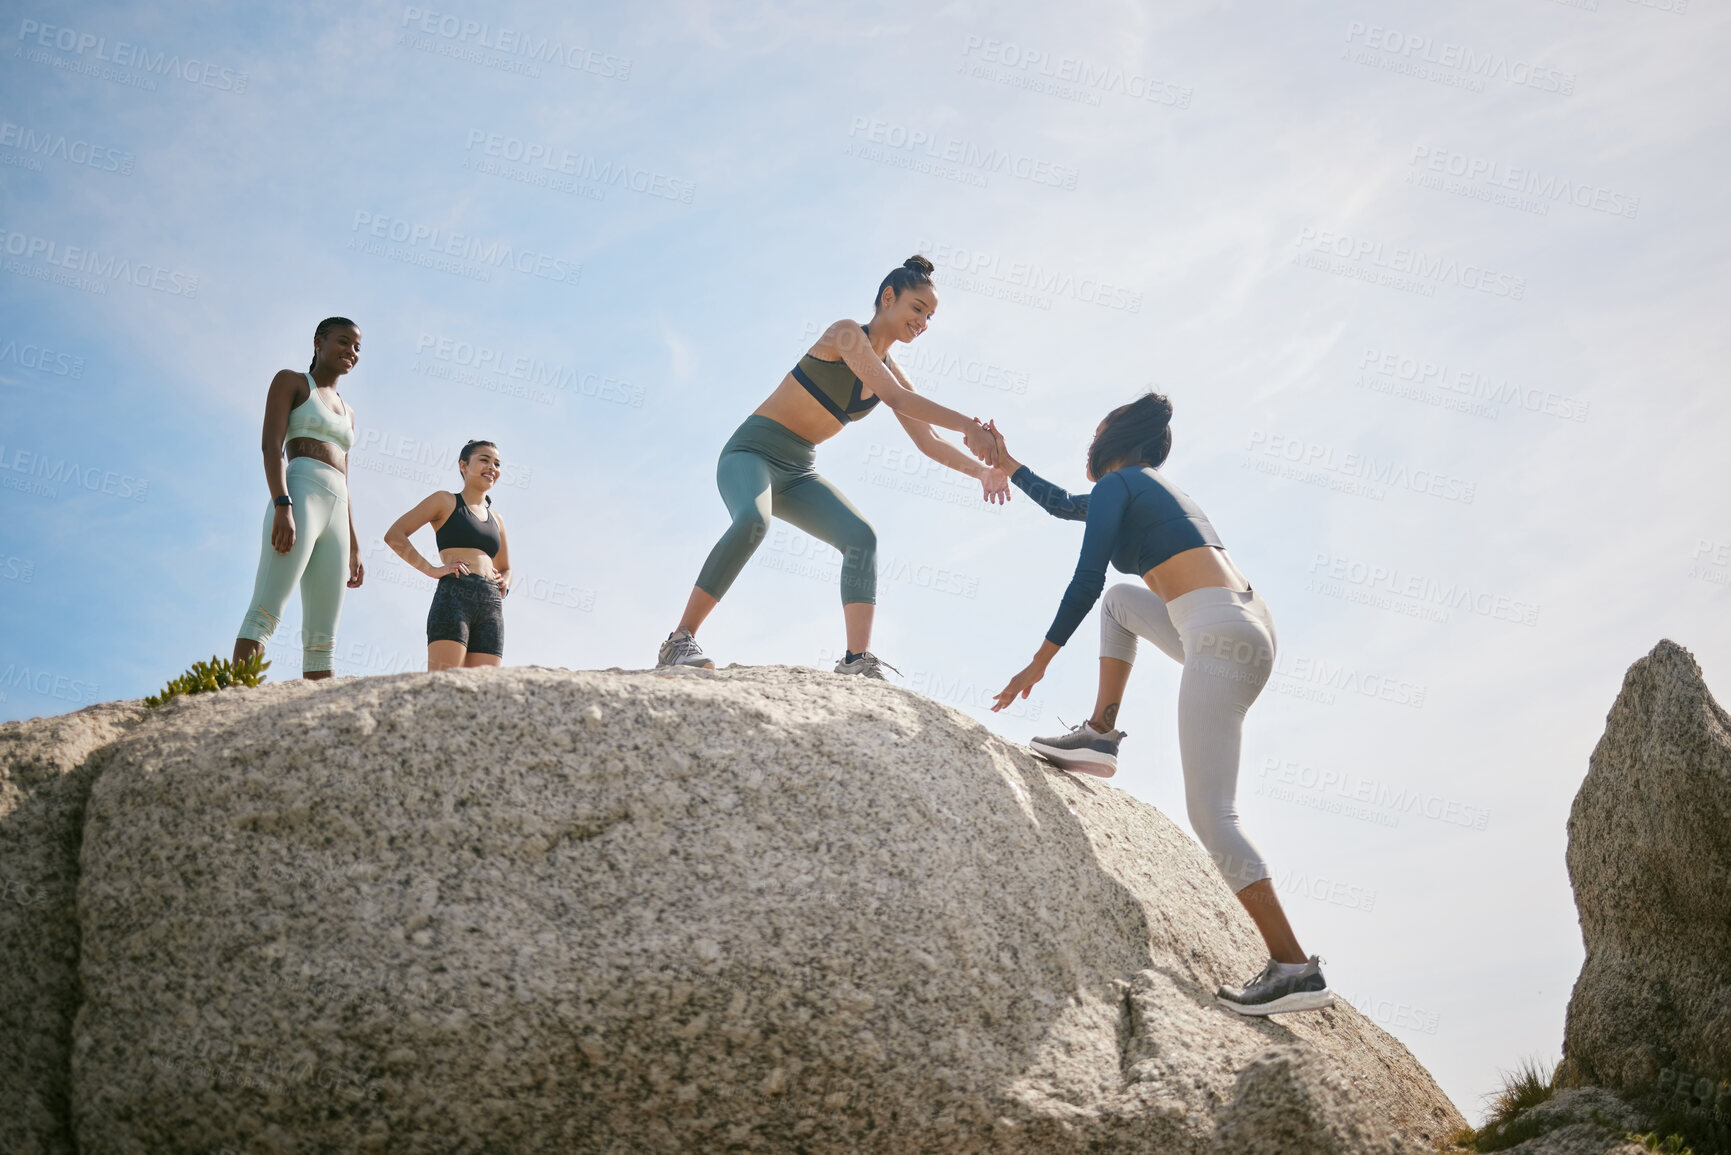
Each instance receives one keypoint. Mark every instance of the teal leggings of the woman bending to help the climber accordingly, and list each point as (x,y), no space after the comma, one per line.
(766,470)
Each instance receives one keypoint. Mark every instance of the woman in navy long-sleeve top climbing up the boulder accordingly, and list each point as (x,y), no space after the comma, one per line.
(1197,607)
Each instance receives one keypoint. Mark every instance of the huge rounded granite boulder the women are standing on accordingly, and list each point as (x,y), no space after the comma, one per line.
(747,910)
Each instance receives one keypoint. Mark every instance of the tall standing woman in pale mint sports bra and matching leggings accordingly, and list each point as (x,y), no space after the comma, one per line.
(309,527)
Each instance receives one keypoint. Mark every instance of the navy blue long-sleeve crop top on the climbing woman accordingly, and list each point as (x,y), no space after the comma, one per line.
(1135,520)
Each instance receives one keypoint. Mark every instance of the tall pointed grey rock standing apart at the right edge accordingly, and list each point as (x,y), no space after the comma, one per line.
(1651,861)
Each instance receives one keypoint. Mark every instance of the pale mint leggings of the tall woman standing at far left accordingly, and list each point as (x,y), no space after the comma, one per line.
(319,562)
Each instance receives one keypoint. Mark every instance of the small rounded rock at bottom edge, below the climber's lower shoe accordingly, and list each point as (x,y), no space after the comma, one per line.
(1289,1102)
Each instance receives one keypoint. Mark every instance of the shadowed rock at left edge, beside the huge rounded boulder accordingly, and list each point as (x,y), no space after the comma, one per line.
(46,771)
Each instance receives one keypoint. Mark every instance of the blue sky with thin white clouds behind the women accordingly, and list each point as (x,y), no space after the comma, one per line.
(1436,290)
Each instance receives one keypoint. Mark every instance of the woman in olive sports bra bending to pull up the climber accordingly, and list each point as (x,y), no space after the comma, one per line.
(766,468)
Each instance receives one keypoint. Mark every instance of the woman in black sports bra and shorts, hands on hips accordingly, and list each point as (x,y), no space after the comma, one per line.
(467,624)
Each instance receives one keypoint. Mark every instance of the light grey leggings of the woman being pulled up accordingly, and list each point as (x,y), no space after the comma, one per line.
(1226,643)
